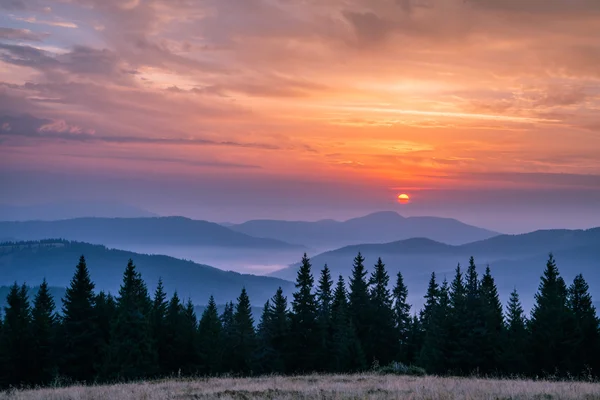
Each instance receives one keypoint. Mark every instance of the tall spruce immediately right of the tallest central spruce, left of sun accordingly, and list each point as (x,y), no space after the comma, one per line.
(384,338)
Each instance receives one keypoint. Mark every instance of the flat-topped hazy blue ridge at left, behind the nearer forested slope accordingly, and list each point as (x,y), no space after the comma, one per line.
(147,231)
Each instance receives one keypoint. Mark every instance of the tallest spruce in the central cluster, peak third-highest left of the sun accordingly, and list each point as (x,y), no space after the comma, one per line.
(360,306)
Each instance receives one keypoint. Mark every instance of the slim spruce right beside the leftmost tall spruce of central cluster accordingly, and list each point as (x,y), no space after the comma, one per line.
(324,299)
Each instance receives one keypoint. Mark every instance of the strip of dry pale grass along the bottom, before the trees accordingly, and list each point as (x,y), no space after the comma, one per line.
(365,386)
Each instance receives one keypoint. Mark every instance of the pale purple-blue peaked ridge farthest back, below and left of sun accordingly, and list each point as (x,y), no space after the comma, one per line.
(380,227)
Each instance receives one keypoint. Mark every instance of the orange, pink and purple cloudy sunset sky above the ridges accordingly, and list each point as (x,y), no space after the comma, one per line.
(228,110)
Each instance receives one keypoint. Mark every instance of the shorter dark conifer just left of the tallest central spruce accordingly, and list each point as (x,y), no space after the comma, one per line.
(346,353)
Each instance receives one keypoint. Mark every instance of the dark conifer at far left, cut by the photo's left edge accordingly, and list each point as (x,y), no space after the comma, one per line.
(15,345)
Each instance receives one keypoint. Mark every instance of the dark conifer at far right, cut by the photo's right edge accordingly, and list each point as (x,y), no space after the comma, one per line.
(586,338)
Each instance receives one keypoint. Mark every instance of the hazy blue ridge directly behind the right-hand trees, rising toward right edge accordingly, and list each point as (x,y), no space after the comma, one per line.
(516,260)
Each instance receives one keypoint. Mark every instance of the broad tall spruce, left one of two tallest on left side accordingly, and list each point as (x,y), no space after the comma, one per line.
(79,331)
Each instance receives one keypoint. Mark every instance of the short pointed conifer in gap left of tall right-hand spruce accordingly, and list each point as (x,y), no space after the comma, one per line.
(516,342)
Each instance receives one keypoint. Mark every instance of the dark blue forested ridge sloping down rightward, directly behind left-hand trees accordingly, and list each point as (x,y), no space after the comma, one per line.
(56,260)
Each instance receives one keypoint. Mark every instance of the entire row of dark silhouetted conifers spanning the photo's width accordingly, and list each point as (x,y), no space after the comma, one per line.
(326,327)
